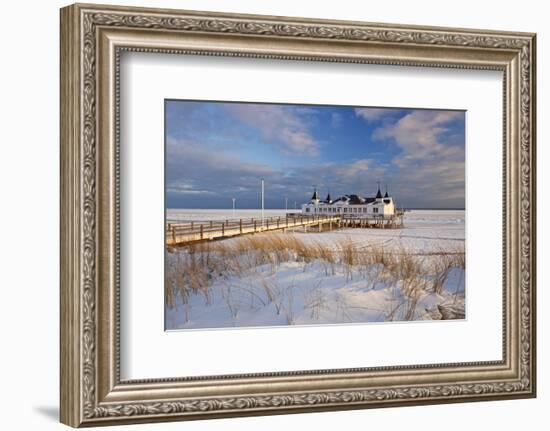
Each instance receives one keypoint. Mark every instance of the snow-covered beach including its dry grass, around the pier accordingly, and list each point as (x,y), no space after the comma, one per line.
(341,276)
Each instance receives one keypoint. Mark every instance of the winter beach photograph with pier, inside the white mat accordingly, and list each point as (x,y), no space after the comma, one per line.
(291,214)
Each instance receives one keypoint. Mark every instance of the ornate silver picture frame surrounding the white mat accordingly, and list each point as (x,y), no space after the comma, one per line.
(92,40)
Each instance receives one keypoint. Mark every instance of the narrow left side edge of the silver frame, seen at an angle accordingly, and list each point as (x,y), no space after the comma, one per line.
(70,412)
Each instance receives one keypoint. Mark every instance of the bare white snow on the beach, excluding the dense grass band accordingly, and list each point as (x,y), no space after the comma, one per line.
(317,292)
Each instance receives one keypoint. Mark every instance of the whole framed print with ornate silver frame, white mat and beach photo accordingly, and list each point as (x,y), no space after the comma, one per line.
(266,215)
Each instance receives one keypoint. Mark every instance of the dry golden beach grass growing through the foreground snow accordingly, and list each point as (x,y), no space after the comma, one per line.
(211,268)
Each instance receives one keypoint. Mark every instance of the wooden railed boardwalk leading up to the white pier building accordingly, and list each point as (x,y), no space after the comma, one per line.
(183,233)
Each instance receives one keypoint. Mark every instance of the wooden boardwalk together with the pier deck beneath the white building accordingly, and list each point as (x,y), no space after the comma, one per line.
(188,232)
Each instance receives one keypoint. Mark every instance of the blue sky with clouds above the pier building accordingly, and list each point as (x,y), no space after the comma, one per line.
(218,151)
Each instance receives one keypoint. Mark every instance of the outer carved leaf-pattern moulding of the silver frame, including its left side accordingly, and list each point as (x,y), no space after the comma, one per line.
(79,402)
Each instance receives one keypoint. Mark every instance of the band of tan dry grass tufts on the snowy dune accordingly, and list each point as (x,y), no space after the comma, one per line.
(193,269)
